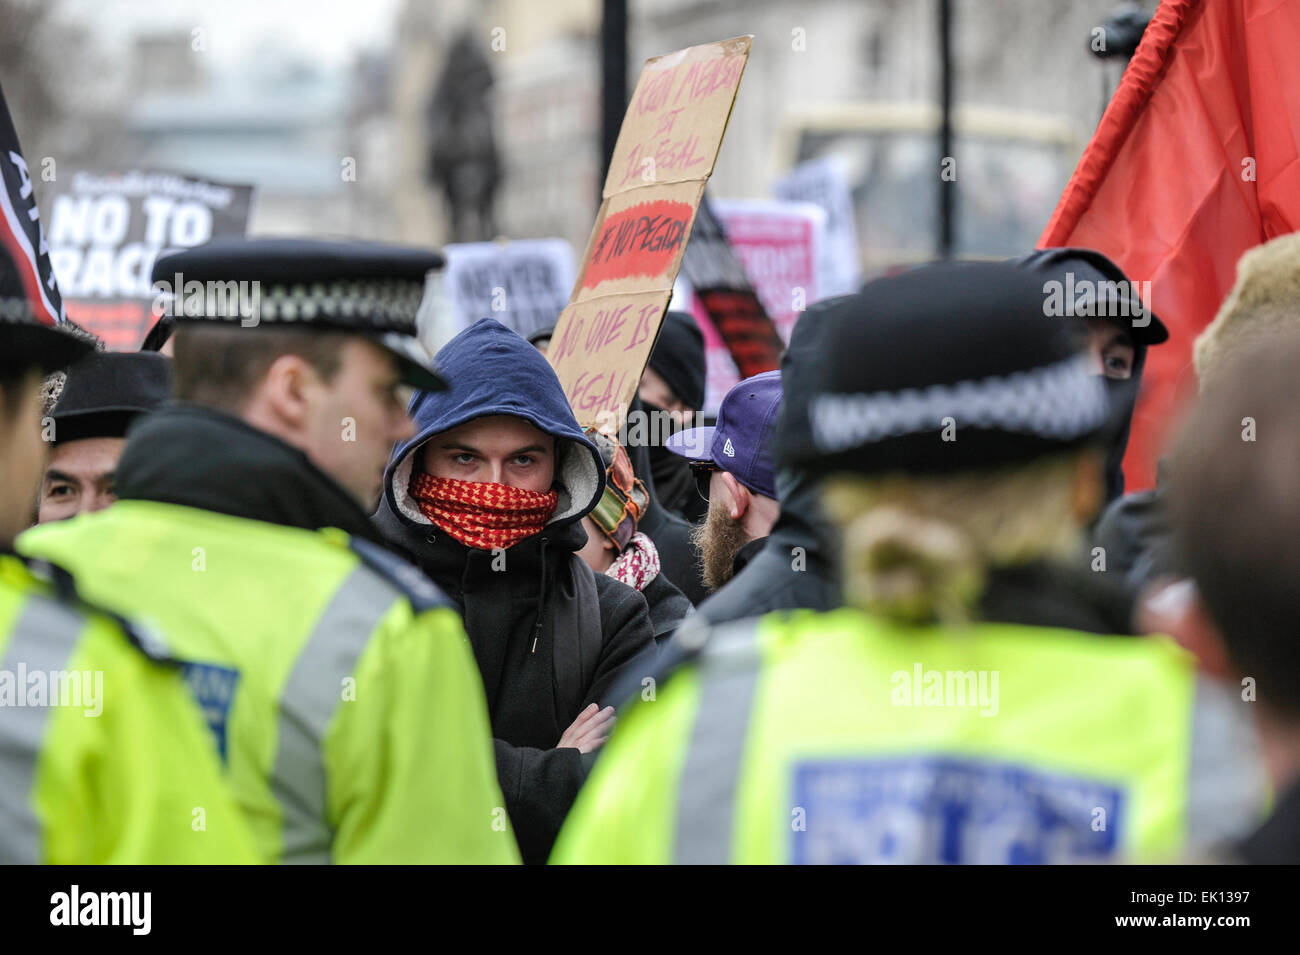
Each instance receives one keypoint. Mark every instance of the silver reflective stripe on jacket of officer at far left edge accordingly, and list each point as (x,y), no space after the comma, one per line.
(45,637)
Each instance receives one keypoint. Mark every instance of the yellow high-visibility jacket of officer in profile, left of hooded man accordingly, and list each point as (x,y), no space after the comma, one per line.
(339,681)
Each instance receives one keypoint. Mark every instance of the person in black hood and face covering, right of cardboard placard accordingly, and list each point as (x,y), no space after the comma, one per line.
(673,390)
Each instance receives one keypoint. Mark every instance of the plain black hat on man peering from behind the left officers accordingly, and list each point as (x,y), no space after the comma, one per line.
(106,392)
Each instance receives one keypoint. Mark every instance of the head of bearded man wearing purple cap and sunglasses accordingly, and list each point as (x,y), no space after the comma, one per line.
(734,471)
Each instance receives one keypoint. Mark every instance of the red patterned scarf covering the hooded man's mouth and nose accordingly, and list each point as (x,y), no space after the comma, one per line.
(483,515)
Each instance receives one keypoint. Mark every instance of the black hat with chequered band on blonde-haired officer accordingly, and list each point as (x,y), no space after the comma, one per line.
(942,370)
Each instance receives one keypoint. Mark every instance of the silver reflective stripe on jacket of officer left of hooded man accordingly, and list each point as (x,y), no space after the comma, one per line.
(314,691)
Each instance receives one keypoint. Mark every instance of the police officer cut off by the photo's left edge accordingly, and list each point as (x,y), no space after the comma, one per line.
(103,753)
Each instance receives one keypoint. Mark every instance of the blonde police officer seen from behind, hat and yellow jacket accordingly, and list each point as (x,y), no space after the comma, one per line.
(973,702)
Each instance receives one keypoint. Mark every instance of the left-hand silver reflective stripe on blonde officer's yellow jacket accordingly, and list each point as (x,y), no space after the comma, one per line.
(707,796)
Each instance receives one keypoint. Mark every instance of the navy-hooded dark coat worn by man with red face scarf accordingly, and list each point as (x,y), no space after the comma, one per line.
(549,636)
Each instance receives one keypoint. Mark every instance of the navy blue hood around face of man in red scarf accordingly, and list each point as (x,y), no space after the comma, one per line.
(493,371)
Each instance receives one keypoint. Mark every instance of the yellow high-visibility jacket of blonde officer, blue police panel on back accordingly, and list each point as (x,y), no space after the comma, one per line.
(842,739)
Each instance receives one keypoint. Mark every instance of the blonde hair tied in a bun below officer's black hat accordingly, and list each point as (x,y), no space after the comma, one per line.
(920,549)
